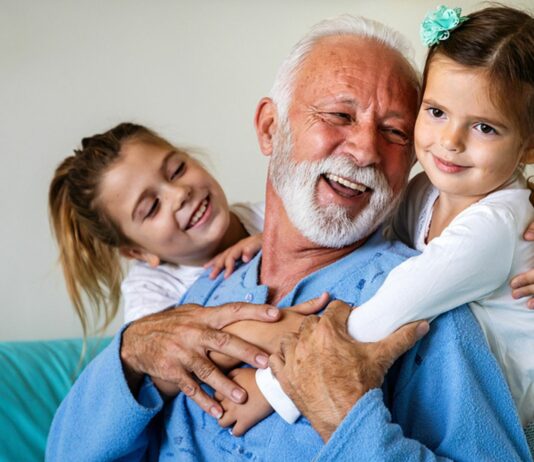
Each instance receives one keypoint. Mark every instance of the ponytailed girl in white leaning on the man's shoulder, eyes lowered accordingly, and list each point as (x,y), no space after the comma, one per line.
(128,192)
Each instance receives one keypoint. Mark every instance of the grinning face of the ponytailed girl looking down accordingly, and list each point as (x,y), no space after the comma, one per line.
(166,203)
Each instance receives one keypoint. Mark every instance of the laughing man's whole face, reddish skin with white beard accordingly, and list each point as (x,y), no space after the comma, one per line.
(341,164)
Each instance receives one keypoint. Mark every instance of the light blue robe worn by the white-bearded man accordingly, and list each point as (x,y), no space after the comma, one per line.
(445,399)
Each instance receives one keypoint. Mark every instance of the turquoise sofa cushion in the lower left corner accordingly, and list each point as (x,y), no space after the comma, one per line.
(34,378)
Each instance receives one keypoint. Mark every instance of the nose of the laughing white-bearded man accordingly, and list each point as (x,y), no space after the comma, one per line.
(362,144)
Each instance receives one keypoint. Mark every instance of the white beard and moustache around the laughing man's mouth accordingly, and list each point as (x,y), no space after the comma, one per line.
(328,226)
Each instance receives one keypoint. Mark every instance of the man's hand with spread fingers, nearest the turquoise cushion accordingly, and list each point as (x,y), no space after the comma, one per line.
(173,345)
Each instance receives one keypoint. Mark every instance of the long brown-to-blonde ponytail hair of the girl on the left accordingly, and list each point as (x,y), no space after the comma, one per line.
(88,240)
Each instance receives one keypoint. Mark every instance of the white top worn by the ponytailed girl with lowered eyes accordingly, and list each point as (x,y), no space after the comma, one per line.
(146,290)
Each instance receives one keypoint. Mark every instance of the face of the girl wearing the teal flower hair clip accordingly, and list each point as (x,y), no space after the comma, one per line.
(466,145)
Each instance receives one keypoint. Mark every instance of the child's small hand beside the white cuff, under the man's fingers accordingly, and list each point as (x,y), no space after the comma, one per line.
(246,415)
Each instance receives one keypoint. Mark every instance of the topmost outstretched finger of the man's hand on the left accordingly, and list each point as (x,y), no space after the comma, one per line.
(217,318)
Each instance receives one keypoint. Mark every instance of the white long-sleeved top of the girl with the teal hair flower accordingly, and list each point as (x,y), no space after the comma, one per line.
(473,259)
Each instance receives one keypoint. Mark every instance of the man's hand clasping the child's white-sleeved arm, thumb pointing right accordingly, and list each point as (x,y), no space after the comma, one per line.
(325,372)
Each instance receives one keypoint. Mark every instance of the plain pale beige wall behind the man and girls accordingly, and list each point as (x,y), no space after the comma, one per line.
(193,70)
